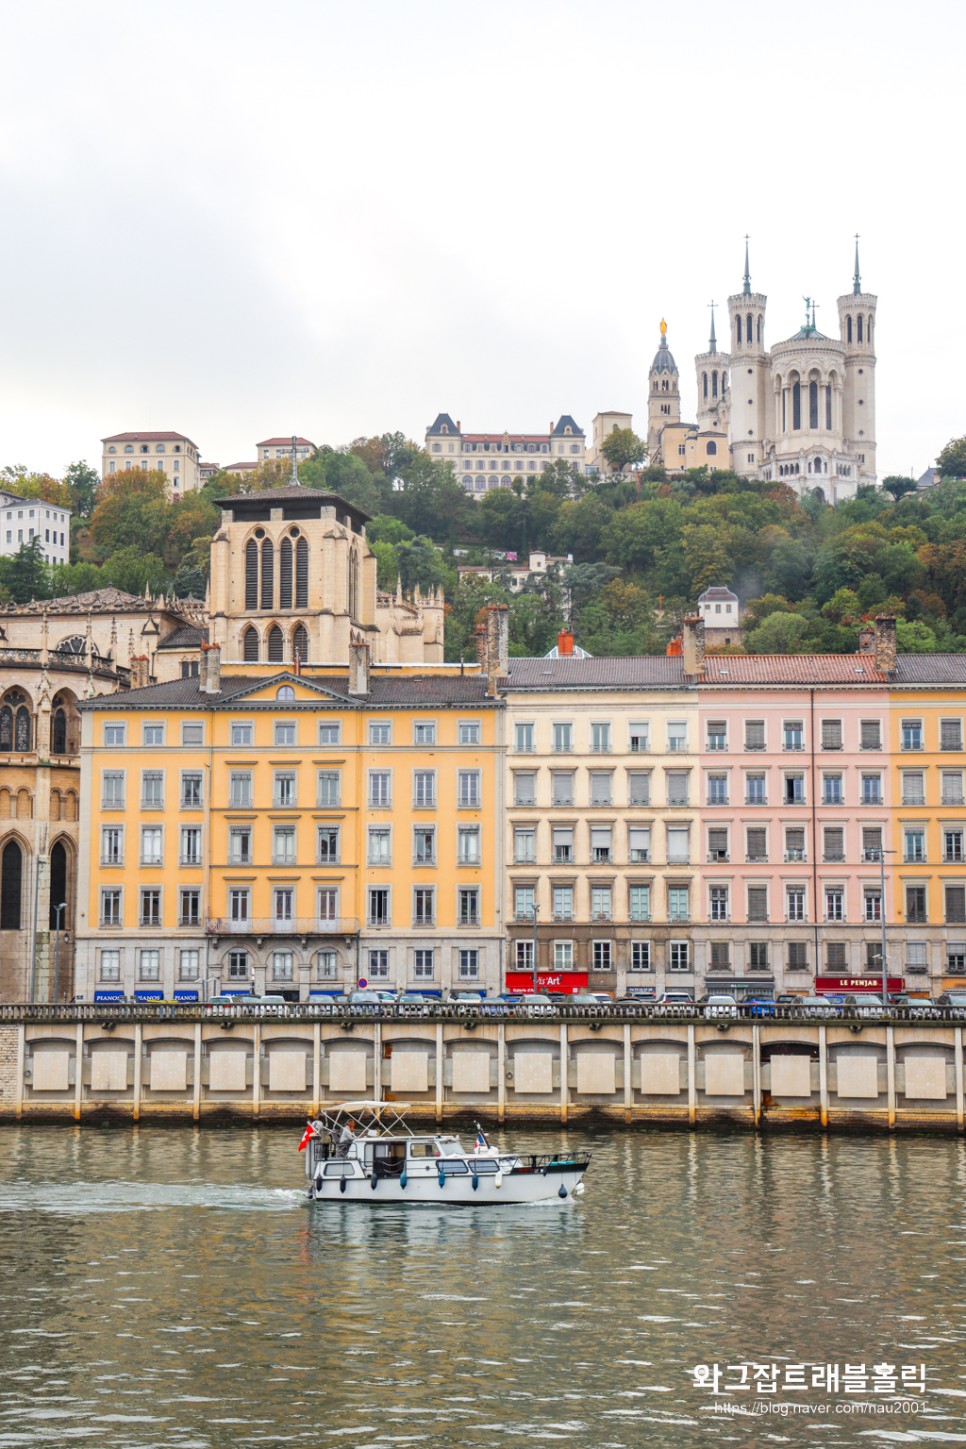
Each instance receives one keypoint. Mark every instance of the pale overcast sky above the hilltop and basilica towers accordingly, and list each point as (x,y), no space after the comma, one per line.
(238,220)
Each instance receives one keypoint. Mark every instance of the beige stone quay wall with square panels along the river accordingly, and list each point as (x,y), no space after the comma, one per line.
(89,1064)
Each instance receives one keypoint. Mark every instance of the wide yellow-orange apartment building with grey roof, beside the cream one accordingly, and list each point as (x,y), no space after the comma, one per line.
(292,834)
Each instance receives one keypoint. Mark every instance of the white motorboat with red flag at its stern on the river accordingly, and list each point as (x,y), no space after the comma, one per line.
(364,1153)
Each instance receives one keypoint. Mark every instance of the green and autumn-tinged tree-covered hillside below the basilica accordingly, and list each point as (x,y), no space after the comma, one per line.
(637,548)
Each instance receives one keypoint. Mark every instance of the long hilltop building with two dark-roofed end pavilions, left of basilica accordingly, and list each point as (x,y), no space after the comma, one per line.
(486,462)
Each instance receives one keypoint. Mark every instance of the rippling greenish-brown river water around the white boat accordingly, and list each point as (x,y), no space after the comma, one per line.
(166,1289)
